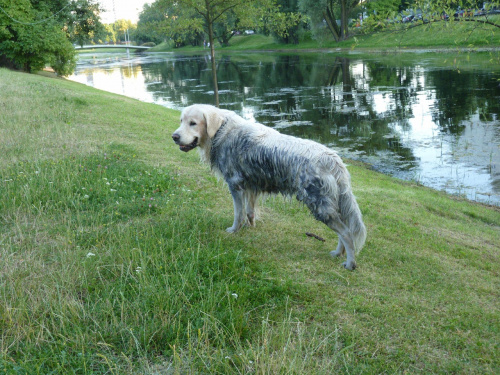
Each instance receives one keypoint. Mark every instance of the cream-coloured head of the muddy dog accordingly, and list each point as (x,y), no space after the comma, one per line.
(199,123)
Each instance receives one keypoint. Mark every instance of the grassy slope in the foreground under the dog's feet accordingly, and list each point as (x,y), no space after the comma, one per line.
(115,259)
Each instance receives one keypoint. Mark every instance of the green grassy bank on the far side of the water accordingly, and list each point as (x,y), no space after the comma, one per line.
(439,35)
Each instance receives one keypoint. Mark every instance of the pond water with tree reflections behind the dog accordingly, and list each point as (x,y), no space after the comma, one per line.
(437,126)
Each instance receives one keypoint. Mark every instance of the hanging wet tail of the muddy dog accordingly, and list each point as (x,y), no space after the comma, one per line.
(351,215)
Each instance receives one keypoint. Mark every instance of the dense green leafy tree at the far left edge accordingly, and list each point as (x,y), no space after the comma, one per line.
(35,33)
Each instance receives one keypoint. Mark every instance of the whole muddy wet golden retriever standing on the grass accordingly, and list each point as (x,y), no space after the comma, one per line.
(254,159)
